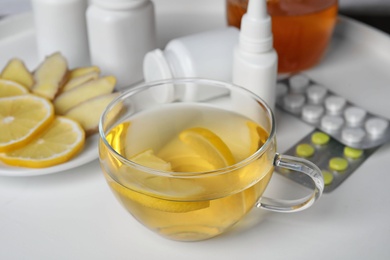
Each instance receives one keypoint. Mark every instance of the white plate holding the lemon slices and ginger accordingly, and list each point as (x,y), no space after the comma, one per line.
(88,154)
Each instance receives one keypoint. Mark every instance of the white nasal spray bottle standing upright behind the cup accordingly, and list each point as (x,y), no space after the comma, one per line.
(255,60)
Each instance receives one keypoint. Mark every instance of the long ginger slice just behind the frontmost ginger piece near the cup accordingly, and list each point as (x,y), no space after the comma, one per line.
(77,95)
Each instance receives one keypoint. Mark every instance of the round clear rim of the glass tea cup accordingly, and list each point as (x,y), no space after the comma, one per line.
(147,85)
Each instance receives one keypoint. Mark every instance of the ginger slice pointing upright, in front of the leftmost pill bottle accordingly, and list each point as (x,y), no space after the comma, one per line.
(50,75)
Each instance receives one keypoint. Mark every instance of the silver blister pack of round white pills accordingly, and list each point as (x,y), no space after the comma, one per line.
(335,115)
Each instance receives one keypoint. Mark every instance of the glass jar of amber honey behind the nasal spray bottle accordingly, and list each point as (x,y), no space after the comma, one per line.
(301,29)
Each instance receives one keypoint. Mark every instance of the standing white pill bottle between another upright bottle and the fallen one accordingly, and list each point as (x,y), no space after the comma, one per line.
(120,33)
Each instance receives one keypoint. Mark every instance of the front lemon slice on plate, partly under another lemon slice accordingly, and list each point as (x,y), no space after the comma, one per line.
(59,142)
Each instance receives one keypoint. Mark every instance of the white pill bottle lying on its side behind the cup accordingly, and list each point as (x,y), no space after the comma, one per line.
(206,54)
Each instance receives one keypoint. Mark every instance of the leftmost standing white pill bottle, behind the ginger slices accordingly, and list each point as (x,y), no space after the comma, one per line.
(60,25)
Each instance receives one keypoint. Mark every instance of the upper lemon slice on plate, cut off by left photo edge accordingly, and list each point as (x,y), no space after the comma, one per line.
(22,118)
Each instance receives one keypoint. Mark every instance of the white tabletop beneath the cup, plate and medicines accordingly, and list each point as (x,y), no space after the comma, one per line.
(73,214)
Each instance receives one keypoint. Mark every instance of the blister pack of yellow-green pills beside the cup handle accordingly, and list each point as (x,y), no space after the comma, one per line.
(336,160)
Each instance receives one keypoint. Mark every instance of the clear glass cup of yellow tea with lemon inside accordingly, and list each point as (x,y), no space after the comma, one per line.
(189,158)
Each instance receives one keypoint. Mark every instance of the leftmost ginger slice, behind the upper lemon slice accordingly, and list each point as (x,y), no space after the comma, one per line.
(16,71)
